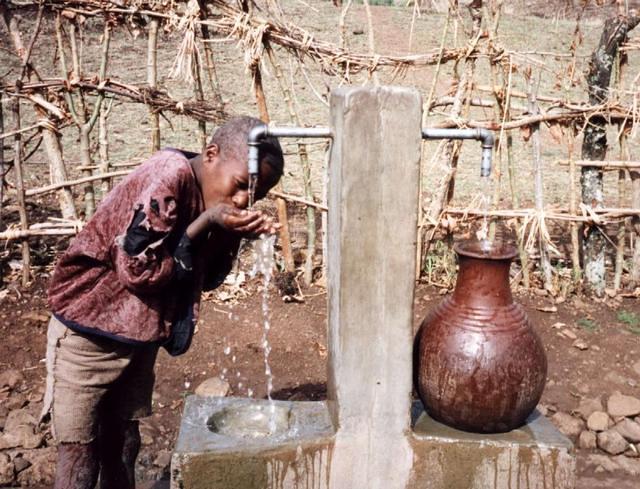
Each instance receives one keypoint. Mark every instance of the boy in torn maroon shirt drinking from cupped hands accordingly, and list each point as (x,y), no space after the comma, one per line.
(130,282)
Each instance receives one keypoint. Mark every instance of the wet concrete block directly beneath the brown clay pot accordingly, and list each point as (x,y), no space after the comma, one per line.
(535,456)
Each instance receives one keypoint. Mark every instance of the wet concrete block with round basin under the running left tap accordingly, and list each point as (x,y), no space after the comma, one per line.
(296,457)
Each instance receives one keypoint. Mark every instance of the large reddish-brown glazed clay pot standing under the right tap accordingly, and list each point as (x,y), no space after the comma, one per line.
(481,367)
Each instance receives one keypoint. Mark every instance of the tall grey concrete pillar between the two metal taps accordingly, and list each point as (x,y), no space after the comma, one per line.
(373,203)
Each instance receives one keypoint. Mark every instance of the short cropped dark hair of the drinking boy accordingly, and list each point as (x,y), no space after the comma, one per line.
(232,140)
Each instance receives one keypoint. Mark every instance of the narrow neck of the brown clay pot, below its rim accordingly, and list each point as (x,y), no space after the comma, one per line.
(483,283)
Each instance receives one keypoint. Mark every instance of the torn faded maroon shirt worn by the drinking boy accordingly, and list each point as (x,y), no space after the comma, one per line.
(120,275)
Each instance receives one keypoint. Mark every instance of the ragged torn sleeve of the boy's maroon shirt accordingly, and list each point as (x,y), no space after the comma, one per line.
(140,254)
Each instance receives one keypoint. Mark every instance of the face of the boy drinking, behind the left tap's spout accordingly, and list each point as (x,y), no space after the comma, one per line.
(226,180)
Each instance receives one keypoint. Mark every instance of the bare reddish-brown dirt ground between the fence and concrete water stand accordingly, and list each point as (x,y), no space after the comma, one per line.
(228,339)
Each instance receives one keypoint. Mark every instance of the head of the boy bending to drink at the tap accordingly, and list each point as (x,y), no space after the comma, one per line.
(224,176)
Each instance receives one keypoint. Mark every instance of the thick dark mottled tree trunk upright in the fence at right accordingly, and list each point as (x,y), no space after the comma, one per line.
(594,146)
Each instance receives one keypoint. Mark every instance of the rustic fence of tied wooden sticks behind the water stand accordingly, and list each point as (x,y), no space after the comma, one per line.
(62,100)
